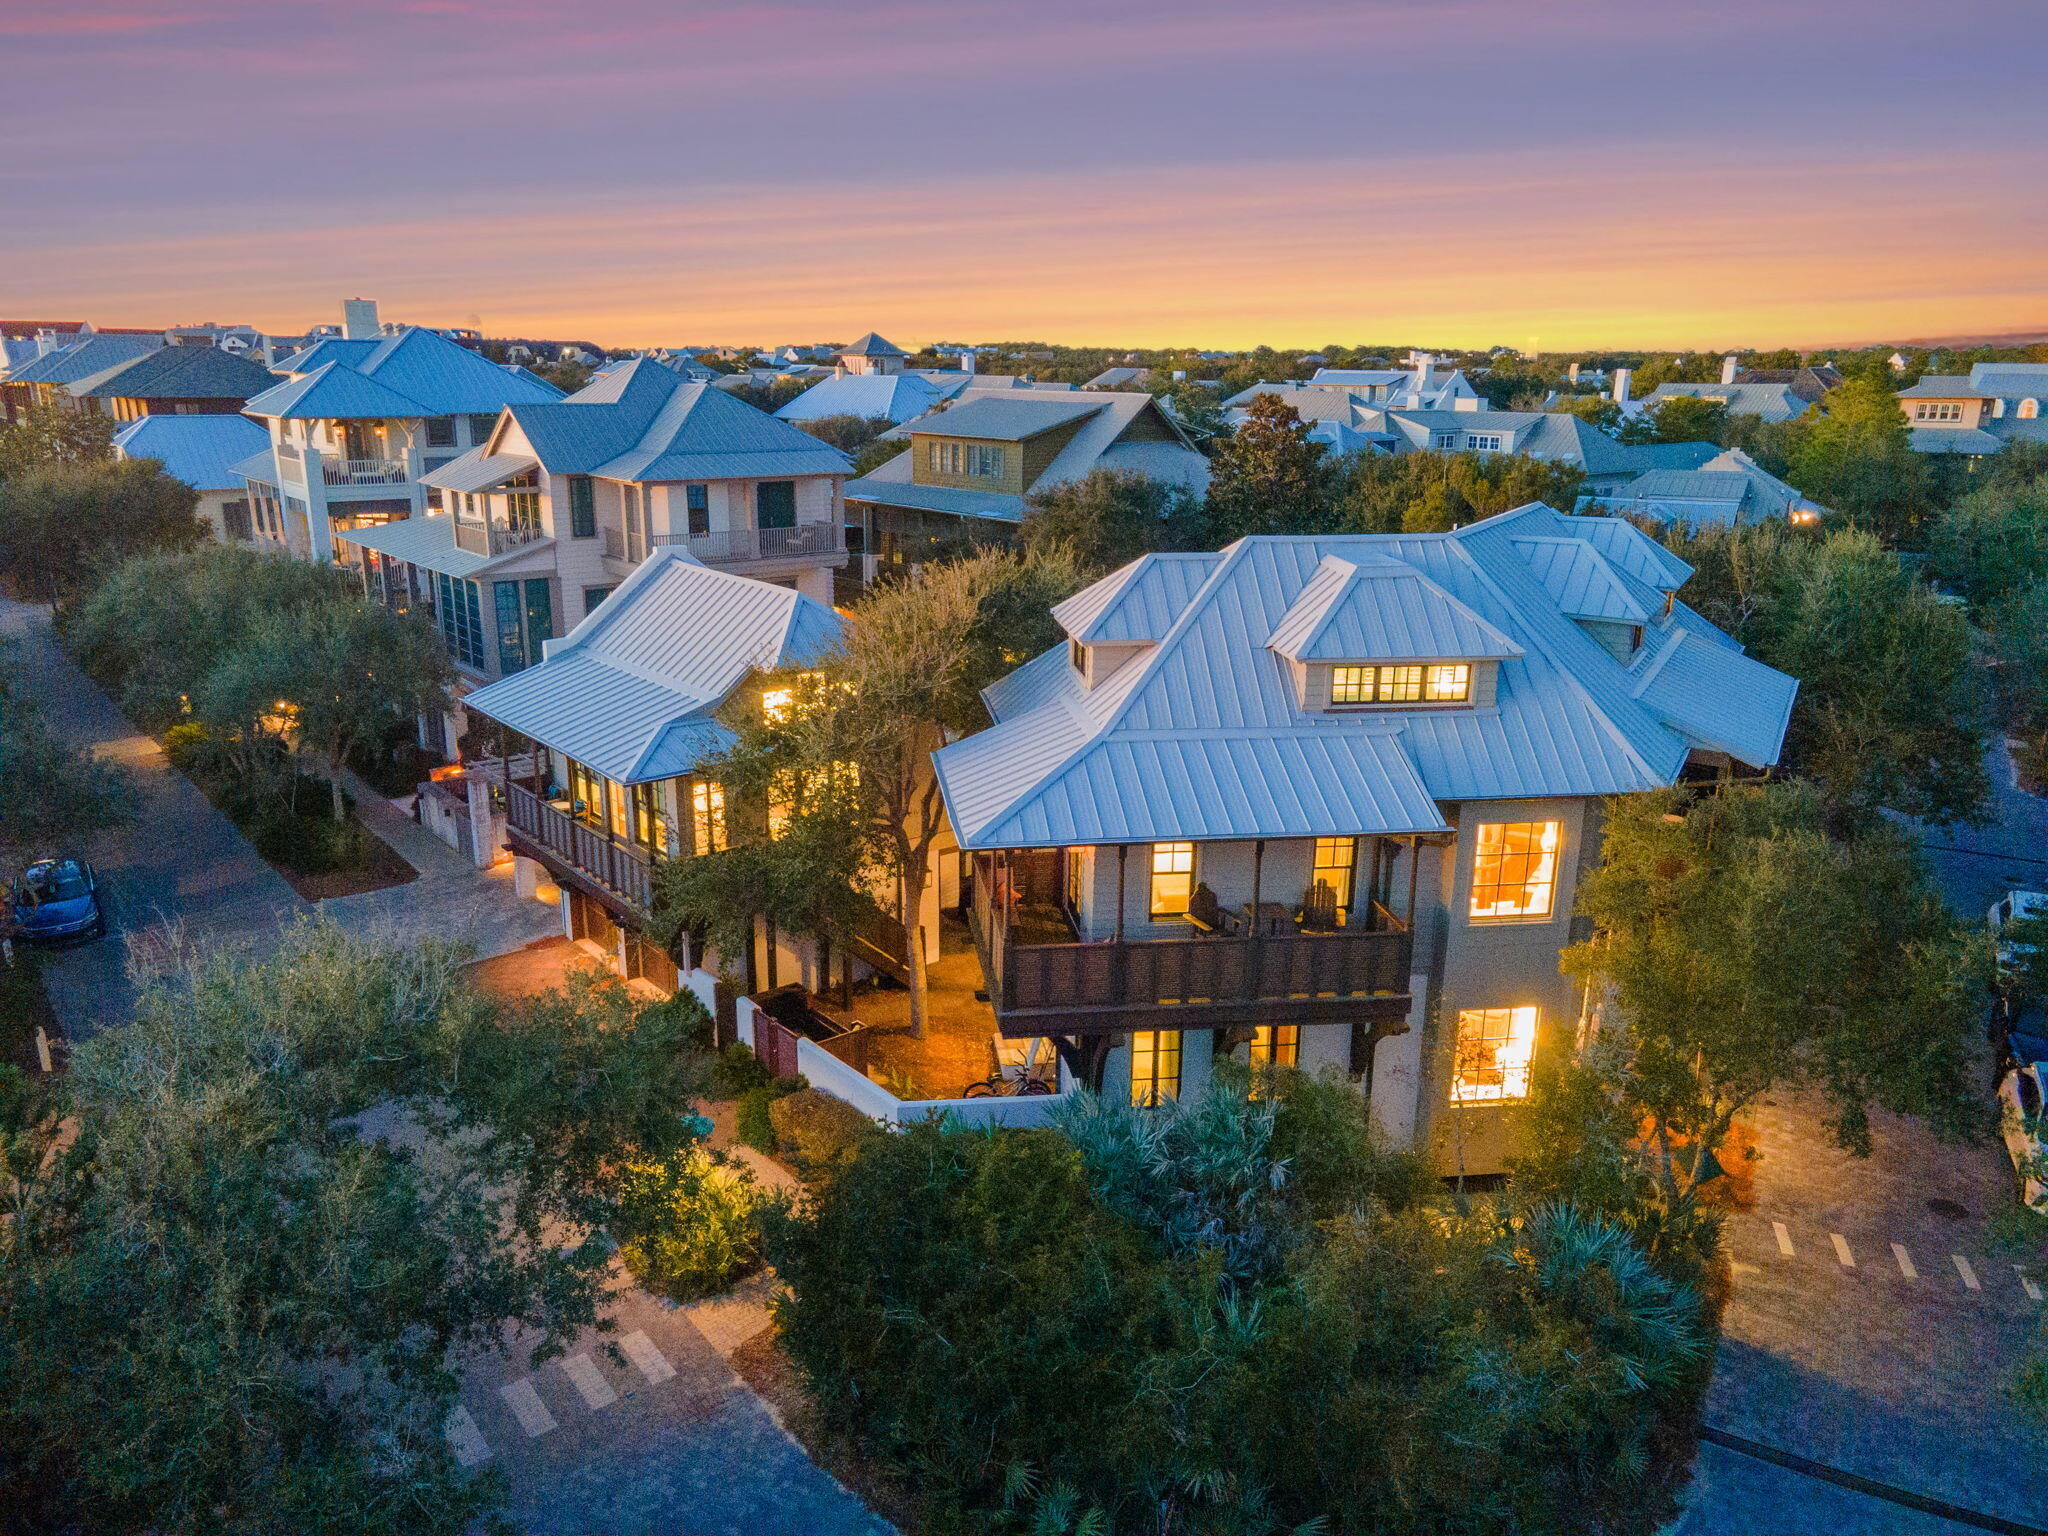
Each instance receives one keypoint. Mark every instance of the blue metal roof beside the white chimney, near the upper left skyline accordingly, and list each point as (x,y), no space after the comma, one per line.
(409,376)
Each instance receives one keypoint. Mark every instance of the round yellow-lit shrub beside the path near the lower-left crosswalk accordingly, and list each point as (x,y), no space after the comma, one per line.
(689,1224)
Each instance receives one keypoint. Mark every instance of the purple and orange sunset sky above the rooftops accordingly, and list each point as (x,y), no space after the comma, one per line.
(654,173)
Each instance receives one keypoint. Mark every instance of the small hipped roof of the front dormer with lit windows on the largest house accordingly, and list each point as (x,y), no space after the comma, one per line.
(1375,609)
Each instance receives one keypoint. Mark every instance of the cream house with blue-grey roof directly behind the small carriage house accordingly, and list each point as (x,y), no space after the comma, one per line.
(564,499)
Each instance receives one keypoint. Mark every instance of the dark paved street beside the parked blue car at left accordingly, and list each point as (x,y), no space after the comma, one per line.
(179,863)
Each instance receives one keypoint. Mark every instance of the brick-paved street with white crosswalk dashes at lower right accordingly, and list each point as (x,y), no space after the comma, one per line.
(1877,1328)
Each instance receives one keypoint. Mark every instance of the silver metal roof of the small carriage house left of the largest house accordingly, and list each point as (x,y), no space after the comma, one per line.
(636,687)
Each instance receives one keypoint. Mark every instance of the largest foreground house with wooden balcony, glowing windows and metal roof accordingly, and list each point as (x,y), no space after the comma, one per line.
(1328,800)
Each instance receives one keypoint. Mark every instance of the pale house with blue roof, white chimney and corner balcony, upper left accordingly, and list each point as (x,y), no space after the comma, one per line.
(361,419)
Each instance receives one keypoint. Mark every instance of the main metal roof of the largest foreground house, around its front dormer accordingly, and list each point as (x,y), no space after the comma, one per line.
(1201,736)
